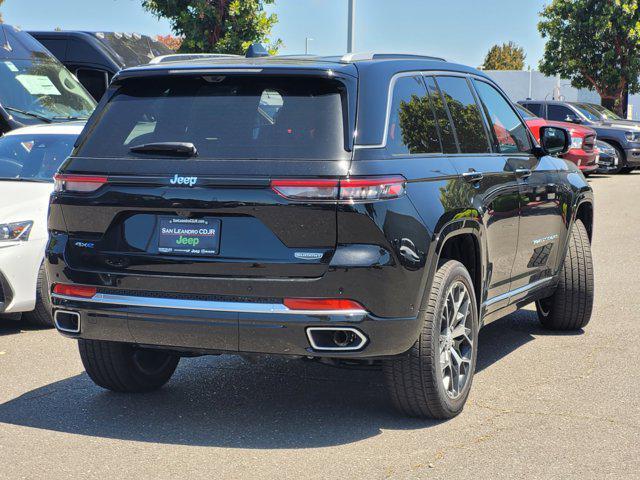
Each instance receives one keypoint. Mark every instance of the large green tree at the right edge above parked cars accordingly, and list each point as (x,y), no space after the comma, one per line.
(595,44)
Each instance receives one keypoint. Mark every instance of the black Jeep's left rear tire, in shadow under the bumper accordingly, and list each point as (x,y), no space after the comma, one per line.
(123,367)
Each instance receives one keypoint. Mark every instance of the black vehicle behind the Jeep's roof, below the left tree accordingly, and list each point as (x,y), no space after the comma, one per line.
(95,57)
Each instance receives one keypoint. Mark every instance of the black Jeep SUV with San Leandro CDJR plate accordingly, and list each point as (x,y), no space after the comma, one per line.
(372,208)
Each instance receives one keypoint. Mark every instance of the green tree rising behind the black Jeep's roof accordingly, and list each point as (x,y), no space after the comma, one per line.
(217,26)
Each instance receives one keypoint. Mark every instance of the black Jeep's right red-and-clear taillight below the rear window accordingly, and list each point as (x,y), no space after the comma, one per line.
(346,190)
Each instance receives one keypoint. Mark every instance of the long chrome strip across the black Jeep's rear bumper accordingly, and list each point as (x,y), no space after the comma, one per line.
(202,305)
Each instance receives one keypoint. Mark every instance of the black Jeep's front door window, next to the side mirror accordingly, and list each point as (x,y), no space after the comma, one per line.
(509,133)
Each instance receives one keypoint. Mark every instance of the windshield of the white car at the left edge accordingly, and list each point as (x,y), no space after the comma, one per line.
(33,157)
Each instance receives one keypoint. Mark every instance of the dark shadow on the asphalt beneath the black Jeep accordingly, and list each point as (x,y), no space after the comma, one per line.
(227,402)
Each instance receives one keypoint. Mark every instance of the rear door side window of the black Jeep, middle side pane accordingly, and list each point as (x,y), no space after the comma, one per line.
(465,114)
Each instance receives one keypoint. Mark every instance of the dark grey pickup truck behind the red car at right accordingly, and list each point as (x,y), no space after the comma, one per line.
(623,135)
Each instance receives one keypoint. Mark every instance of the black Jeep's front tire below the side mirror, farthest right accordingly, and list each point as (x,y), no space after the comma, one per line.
(570,307)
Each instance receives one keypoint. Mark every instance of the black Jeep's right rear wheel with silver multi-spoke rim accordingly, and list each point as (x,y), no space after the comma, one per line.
(433,379)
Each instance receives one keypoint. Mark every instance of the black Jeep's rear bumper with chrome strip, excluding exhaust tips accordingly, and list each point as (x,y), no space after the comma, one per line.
(231,327)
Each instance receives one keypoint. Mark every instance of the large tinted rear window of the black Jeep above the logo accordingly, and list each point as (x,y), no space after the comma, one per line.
(226,117)
